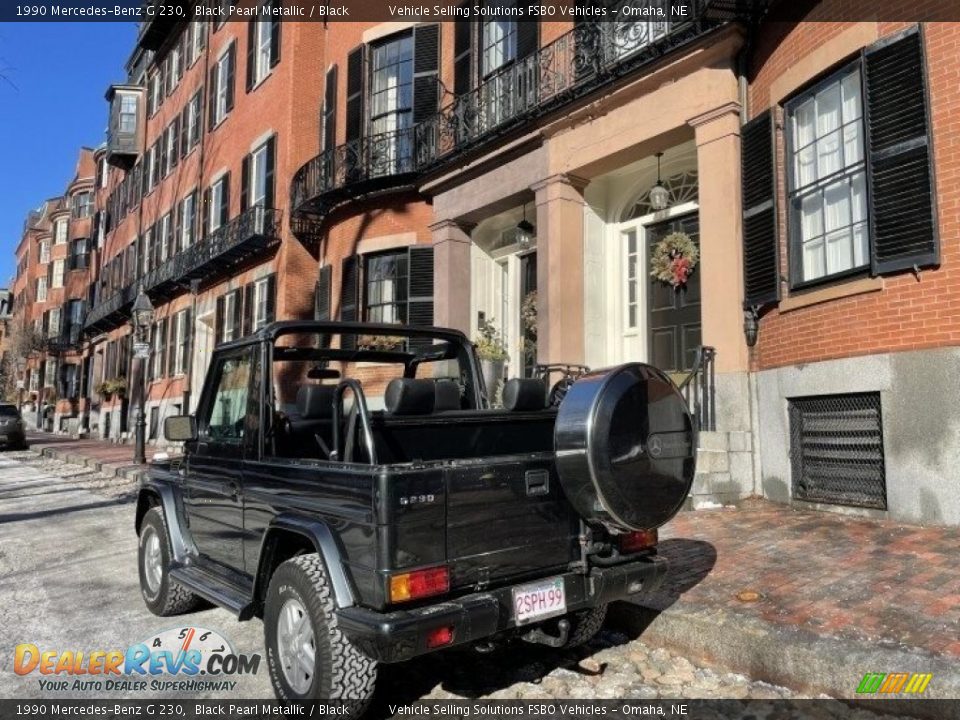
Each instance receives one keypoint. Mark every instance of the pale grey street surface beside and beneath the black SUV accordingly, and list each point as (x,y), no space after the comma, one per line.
(68,581)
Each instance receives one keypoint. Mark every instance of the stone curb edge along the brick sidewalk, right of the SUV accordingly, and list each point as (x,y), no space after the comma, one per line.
(792,657)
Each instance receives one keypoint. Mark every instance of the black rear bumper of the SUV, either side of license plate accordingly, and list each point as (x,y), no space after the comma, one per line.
(401,634)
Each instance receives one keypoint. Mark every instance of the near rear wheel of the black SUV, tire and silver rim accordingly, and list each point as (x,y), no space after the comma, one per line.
(308,656)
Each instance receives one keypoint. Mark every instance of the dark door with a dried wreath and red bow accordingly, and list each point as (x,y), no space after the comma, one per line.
(673,307)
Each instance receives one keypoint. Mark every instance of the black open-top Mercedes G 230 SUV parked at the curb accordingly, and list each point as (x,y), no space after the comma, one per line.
(351,485)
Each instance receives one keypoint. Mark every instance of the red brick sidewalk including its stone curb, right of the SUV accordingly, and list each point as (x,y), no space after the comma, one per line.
(824,598)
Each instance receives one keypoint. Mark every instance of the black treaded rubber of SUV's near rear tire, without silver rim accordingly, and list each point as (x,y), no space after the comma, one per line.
(341,672)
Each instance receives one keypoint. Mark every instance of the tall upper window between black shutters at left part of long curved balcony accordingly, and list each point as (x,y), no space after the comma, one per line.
(391,84)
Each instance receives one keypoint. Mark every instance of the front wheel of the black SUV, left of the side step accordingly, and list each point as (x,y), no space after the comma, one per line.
(163,595)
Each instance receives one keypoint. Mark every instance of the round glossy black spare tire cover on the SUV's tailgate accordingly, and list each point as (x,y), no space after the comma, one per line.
(625,447)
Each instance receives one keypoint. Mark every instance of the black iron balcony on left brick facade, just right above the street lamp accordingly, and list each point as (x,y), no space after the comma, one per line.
(248,234)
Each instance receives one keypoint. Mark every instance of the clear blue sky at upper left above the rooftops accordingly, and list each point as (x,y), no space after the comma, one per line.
(53,79)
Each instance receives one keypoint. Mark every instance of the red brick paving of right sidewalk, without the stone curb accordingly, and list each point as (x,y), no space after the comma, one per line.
(870,581)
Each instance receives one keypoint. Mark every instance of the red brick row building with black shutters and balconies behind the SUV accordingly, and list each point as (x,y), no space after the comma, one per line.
(527,175)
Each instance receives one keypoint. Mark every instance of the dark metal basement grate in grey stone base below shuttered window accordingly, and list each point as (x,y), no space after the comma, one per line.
(836,450)
